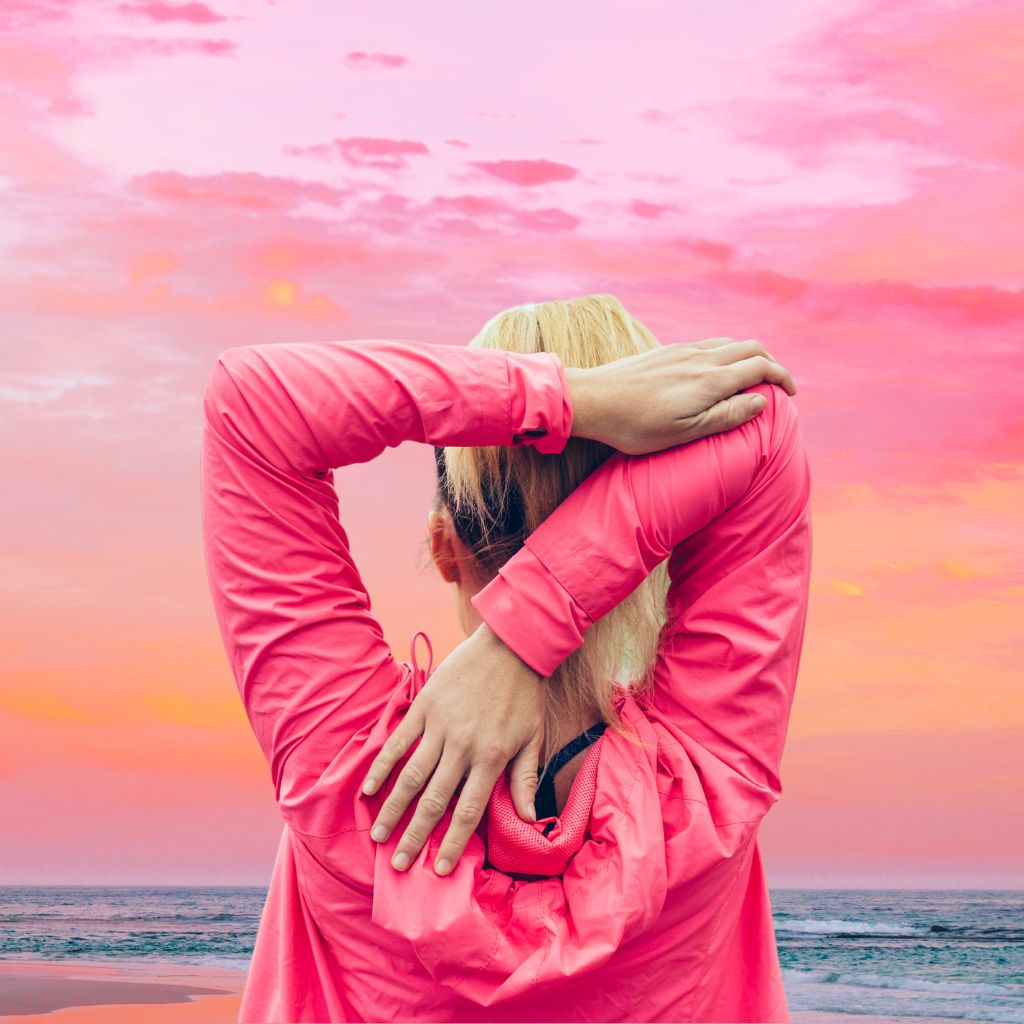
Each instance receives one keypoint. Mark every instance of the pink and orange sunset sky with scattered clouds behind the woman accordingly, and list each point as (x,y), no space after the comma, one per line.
(842,181)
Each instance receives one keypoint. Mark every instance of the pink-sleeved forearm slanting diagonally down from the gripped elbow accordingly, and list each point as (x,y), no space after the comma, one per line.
(608,536)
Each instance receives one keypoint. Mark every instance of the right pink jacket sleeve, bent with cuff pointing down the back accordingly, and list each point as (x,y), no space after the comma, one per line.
(732,513)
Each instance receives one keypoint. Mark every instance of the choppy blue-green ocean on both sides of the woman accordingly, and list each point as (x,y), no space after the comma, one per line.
(902,955)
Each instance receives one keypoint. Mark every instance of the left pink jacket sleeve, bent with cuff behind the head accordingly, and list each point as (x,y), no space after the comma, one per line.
(309,657)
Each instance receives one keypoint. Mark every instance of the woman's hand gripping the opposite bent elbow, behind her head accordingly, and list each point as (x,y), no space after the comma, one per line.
(672,395)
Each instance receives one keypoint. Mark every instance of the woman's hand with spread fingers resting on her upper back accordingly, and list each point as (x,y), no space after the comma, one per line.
(482,709)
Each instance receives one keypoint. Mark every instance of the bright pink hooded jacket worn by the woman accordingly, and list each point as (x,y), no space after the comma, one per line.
(655,906)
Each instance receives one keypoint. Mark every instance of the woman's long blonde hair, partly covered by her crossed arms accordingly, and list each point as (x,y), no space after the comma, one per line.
(498,496)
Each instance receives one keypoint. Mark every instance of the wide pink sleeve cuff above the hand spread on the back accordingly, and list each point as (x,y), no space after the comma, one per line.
(544,628)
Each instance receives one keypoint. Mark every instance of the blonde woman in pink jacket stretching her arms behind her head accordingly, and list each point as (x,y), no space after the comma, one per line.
(581,484)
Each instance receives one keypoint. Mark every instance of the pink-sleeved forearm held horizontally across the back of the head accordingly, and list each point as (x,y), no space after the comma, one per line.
(313,407)
